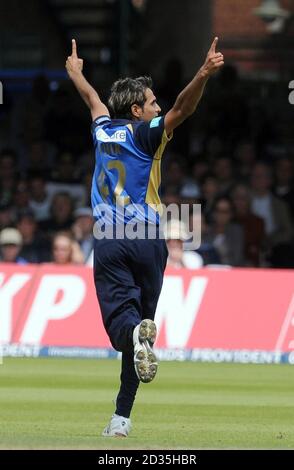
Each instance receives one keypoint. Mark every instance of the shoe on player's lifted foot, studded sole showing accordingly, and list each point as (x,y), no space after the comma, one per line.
(145,361)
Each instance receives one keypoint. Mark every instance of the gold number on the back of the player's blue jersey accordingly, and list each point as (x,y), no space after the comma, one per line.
(118,198)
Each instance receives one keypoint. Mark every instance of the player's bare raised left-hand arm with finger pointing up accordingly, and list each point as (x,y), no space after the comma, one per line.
(74,67)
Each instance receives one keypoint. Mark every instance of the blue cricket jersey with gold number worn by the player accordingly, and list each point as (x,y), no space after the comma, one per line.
(127,176)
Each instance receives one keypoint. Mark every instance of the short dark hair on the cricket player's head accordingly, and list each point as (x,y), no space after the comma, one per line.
(124,93)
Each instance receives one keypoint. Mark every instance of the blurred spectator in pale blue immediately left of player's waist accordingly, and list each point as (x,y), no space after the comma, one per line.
(83,230)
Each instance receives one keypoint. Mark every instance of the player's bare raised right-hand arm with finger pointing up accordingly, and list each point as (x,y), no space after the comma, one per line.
(188,99)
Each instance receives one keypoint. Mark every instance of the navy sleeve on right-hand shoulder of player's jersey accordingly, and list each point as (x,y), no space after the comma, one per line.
(148,135)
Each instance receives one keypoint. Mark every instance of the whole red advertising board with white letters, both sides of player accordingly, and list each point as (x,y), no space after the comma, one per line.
(233,309)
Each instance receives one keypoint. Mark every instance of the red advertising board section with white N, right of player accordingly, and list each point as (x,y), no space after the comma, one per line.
(227,309)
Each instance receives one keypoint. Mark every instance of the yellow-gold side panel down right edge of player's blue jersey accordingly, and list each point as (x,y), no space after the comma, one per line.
(152,196)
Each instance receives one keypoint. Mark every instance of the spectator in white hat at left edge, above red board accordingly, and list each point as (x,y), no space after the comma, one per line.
(10,246)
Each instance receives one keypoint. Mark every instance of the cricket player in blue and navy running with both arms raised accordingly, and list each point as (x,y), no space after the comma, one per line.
(129,137)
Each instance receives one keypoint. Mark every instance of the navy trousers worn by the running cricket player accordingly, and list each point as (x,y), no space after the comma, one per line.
(128,278)
